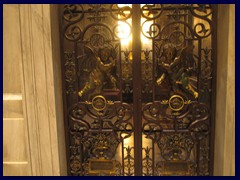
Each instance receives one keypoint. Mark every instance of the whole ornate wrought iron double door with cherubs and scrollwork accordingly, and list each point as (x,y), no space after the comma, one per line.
(138,83)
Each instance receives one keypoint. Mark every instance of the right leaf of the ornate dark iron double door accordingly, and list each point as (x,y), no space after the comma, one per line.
(178,118)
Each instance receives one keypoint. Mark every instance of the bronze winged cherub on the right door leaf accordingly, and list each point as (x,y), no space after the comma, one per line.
(177,69)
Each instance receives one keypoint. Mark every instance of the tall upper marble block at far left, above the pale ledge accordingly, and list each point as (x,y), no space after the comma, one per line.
(11,49)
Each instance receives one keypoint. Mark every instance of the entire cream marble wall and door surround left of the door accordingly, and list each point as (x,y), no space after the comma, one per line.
(35,144)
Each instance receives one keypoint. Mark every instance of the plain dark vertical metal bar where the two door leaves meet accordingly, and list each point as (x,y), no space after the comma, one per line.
(136,48)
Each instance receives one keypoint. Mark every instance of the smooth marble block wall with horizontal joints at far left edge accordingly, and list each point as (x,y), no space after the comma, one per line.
(16,159)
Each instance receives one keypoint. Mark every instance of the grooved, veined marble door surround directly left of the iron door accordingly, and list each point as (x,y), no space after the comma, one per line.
(40,90)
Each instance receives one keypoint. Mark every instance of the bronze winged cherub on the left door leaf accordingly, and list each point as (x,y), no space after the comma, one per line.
(100,72)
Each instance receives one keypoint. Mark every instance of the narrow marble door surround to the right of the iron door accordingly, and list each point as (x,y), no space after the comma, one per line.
(224,153)
